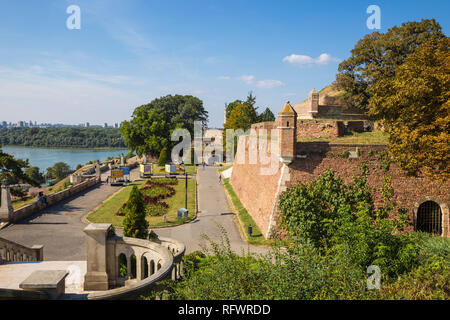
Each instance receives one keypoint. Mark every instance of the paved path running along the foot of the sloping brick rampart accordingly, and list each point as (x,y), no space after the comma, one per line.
(214,211)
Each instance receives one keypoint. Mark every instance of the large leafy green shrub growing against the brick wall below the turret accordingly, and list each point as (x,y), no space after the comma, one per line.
(341,218)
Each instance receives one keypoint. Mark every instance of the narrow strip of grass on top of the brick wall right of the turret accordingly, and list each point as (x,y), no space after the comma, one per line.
(374,137)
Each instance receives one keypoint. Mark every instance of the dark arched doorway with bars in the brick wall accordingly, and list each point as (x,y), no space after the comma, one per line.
(429,218)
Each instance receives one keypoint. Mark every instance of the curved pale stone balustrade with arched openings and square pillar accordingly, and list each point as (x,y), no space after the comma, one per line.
(147,263)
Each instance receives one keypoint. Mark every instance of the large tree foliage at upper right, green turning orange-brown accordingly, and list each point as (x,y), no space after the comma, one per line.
(402,78)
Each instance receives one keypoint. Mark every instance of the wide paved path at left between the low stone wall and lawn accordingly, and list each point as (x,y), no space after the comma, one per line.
(59,228)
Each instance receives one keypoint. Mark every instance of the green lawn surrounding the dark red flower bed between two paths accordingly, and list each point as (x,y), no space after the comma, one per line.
(106,213)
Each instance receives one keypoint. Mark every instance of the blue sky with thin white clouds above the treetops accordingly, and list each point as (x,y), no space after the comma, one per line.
(129,52)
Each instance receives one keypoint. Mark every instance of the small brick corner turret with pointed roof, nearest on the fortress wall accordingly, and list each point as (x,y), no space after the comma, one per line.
(287,133)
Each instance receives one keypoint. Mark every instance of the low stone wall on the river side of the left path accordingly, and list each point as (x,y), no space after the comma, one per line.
(52,199)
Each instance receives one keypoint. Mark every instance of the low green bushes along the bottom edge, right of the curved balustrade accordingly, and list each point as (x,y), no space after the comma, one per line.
(301,272)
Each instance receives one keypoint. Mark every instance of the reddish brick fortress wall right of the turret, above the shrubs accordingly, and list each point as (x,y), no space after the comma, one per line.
(409,192)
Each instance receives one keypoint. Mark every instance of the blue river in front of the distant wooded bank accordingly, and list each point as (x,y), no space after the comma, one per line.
(47,157)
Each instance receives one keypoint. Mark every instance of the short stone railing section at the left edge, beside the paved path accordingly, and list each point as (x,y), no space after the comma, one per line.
(14,252)
